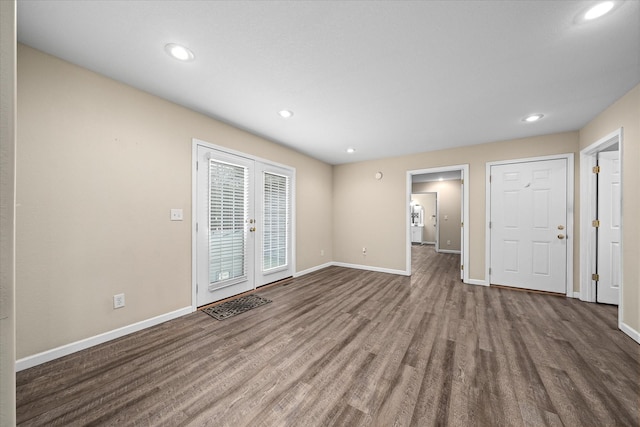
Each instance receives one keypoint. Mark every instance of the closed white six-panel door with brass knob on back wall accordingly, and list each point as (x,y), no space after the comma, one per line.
(528,219)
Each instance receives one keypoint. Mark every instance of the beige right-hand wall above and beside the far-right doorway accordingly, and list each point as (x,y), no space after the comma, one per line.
(625,113)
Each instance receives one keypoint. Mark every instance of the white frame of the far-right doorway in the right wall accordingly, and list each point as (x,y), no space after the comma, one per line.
(588,191)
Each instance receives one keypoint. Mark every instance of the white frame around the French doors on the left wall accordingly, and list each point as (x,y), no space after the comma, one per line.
(194,186)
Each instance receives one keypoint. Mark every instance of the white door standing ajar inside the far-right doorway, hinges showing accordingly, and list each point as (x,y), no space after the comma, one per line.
(608,256)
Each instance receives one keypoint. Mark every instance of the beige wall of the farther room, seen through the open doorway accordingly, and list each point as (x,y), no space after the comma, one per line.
(450,205)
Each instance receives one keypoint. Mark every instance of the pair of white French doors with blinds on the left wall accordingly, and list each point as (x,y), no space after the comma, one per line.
(243,224)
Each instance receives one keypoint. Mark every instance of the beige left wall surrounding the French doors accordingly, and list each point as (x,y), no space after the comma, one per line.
(100,165)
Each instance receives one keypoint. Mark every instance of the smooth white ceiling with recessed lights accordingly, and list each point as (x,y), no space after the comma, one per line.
(386,78)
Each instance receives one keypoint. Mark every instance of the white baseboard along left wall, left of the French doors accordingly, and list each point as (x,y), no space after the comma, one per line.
(55,353)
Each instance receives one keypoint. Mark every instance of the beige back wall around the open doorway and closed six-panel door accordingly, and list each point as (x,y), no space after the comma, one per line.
(384,201)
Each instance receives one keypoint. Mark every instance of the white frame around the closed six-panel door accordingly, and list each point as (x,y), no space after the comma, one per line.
(570,211)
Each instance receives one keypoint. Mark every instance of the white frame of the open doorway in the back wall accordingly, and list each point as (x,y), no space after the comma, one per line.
(464,256)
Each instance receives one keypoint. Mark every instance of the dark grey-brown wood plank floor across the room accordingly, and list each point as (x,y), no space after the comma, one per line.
(354,348)
